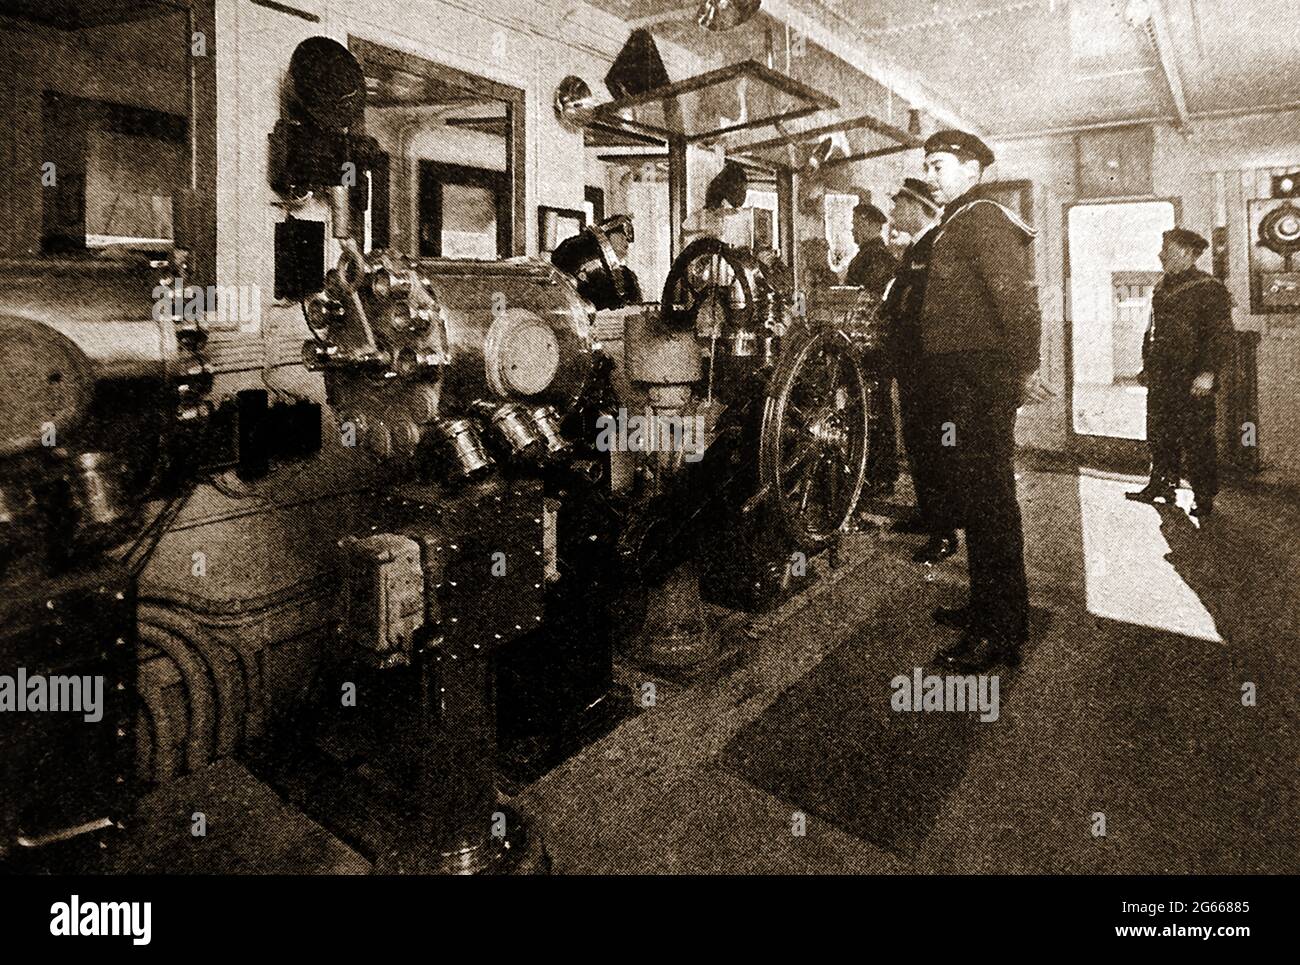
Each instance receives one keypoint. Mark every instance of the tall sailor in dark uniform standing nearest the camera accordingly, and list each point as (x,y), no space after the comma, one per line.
(981,332)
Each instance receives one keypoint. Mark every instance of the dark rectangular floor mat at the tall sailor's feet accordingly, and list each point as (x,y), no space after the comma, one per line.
(834,746)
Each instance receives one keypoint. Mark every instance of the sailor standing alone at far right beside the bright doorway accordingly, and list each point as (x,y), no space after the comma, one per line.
(1188,345)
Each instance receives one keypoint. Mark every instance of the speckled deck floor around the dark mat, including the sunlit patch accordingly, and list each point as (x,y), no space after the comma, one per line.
(1130,706)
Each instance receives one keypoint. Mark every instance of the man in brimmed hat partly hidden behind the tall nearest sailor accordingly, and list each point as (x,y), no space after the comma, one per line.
(916,213)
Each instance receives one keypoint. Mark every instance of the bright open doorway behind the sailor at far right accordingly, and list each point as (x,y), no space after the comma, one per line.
(1112,269)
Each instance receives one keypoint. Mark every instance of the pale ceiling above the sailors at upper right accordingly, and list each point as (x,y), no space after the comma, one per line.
(1020,66)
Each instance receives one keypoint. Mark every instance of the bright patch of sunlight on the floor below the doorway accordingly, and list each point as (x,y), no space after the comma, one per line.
(1129,579)
